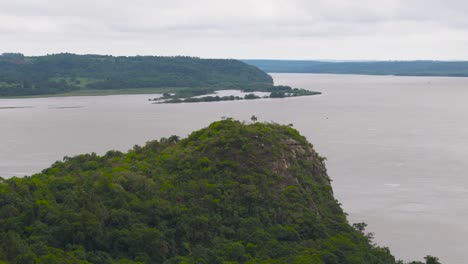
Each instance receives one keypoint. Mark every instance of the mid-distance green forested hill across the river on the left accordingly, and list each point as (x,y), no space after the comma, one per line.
(59,73)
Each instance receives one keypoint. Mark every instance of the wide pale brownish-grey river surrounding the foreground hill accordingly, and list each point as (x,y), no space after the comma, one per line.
(396,147)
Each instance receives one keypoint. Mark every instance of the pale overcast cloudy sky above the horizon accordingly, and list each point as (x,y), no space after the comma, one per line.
(277,29)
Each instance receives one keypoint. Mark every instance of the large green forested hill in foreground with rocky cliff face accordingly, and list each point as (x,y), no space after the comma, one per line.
(229,193)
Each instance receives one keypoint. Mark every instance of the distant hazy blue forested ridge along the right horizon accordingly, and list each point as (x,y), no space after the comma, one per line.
(400,68)
